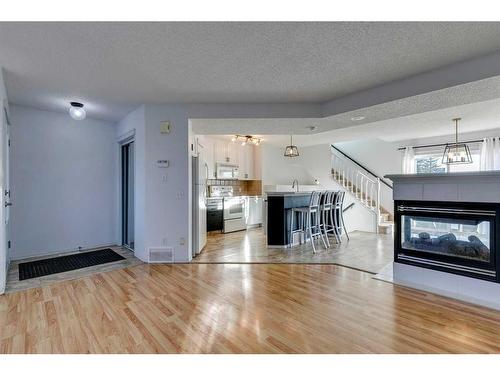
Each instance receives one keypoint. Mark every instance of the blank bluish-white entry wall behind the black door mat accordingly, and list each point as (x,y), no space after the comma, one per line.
(63,180)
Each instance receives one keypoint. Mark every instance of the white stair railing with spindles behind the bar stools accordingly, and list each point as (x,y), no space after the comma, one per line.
(355,179)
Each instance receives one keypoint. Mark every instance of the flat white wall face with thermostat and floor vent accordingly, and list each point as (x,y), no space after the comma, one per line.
(168,189)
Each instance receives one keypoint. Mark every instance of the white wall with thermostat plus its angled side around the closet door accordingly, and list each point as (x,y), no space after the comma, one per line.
(162,194)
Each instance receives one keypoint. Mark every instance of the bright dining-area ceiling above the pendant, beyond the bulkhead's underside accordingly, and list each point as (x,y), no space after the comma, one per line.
(476,117)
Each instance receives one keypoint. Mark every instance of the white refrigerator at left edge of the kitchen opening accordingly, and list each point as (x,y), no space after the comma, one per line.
(200,175)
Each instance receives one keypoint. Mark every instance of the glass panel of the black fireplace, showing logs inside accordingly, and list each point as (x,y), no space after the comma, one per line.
(462,238)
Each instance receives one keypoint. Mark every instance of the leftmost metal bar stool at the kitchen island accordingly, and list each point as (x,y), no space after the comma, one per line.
(309,225)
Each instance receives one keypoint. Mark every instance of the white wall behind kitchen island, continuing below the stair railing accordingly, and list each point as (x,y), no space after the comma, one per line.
(313,163)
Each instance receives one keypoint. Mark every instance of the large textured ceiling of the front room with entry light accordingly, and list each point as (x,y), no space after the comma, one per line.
(113,67)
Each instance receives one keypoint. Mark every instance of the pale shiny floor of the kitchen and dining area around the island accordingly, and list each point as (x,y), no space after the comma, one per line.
(365,251)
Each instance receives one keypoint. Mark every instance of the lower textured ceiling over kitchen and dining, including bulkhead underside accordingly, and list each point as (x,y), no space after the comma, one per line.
(478,99)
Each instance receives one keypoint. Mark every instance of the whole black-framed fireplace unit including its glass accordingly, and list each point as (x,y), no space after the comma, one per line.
(454,237)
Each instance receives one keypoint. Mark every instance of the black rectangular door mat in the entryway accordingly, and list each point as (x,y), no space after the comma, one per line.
(38,268)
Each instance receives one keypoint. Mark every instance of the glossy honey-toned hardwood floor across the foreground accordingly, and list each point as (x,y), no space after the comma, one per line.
(240,308)
